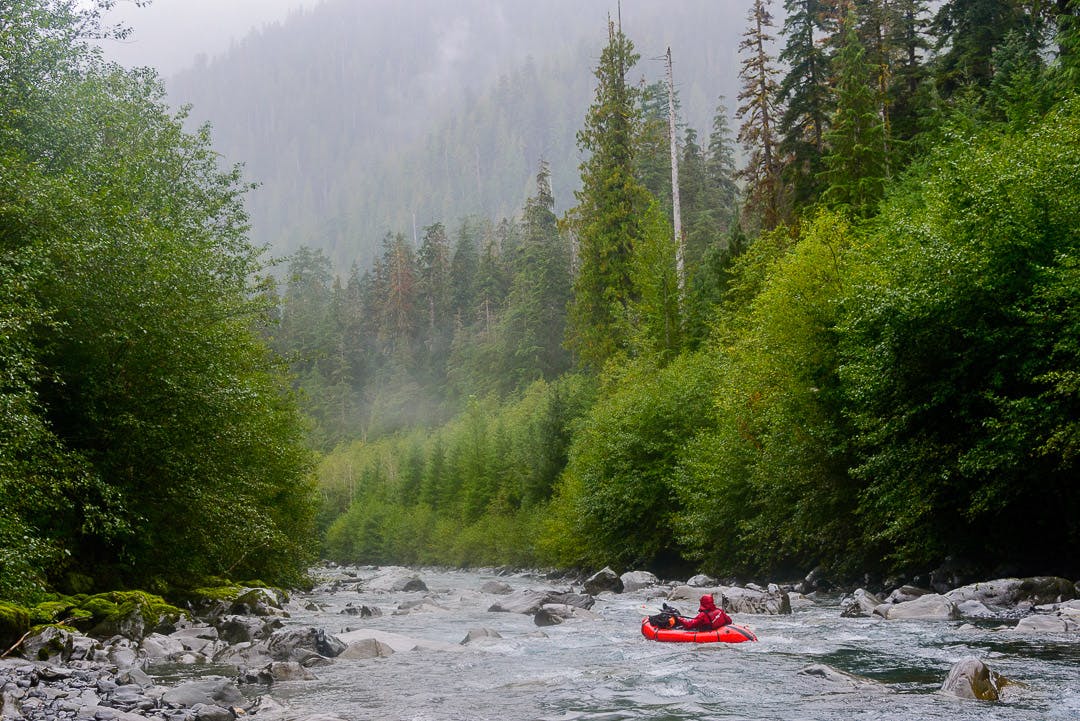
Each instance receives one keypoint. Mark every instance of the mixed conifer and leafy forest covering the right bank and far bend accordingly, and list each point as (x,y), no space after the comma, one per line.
(865,362)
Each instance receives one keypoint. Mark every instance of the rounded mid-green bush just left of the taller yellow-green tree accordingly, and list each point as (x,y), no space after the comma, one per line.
(620,495)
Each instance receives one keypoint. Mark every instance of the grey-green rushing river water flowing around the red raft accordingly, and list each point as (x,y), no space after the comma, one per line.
(605,671)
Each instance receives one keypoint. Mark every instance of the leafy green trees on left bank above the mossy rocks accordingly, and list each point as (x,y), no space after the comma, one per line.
(150,438)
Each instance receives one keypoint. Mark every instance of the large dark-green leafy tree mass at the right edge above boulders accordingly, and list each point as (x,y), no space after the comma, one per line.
(958,350)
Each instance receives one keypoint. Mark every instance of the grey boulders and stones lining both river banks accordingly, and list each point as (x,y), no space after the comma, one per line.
(61,674)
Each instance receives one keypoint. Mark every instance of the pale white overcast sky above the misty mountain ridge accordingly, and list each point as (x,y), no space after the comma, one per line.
(170,34)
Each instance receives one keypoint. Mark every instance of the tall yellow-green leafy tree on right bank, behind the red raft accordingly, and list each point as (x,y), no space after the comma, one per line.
(767,484)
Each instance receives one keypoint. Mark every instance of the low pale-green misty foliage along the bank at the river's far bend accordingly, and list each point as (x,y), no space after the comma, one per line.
(472,493)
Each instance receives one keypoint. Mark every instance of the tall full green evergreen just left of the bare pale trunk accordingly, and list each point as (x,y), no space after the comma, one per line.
(607,219)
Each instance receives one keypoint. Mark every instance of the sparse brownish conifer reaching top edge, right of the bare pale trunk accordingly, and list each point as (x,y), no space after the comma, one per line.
(760,114)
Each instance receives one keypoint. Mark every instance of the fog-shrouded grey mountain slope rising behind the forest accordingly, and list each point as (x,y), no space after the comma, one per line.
(359,119)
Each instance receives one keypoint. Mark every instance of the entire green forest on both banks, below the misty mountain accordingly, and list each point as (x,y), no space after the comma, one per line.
(859,351)
